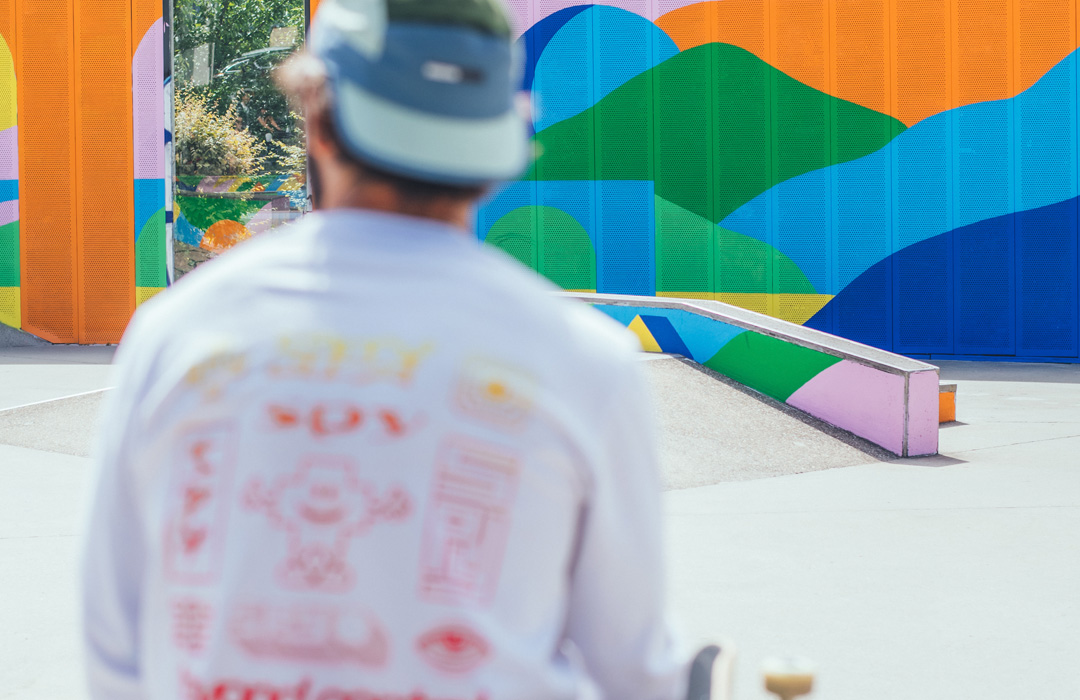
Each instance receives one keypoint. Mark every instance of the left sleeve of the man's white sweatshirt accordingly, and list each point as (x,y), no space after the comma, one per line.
(114,554)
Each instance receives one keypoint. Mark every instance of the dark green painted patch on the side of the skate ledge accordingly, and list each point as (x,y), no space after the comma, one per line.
(775,368)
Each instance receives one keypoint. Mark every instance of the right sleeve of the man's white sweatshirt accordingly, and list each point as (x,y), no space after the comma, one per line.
(618,615)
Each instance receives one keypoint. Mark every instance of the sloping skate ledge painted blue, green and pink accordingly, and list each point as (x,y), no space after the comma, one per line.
(885,398)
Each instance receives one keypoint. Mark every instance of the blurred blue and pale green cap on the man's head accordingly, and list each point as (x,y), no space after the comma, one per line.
(425,89)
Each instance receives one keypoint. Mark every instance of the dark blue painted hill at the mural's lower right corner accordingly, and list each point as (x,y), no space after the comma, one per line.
(1004,287)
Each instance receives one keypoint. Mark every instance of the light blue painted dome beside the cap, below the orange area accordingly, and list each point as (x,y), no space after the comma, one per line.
(590,57)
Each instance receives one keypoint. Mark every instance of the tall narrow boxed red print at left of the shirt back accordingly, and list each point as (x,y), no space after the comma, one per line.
(198,504)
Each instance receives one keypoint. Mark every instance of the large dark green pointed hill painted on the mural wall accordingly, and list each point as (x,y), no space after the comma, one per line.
(727,128)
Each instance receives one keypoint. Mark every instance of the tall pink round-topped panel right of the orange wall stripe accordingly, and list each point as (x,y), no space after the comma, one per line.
(150,105)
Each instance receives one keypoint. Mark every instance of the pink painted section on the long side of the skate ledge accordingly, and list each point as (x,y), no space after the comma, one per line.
(859,399)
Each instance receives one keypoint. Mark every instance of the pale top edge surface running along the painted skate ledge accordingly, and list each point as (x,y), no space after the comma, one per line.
(767,326)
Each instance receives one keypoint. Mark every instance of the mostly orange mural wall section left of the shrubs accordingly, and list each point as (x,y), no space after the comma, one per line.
(83,189)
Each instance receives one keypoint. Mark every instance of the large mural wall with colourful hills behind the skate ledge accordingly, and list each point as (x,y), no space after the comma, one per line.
(903,173)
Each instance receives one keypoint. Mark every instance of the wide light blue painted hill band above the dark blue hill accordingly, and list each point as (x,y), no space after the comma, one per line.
(935,168)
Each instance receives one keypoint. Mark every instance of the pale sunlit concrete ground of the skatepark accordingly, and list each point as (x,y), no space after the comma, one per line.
(941,578)
